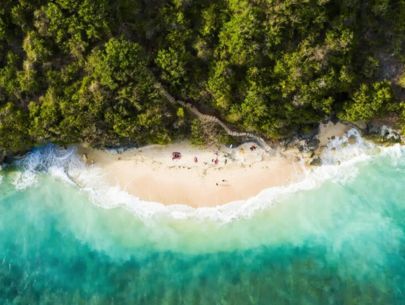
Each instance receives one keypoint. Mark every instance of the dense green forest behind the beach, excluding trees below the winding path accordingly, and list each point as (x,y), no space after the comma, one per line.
(83,70)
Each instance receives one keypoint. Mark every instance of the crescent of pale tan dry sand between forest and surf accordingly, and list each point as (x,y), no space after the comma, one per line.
(208,176)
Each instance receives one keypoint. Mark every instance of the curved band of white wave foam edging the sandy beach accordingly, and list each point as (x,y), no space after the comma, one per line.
(339,159)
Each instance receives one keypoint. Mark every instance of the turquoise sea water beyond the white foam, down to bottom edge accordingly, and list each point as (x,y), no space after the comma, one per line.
(342,242)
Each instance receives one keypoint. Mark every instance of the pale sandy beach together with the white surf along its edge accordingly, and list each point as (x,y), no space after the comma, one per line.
(148,180)
